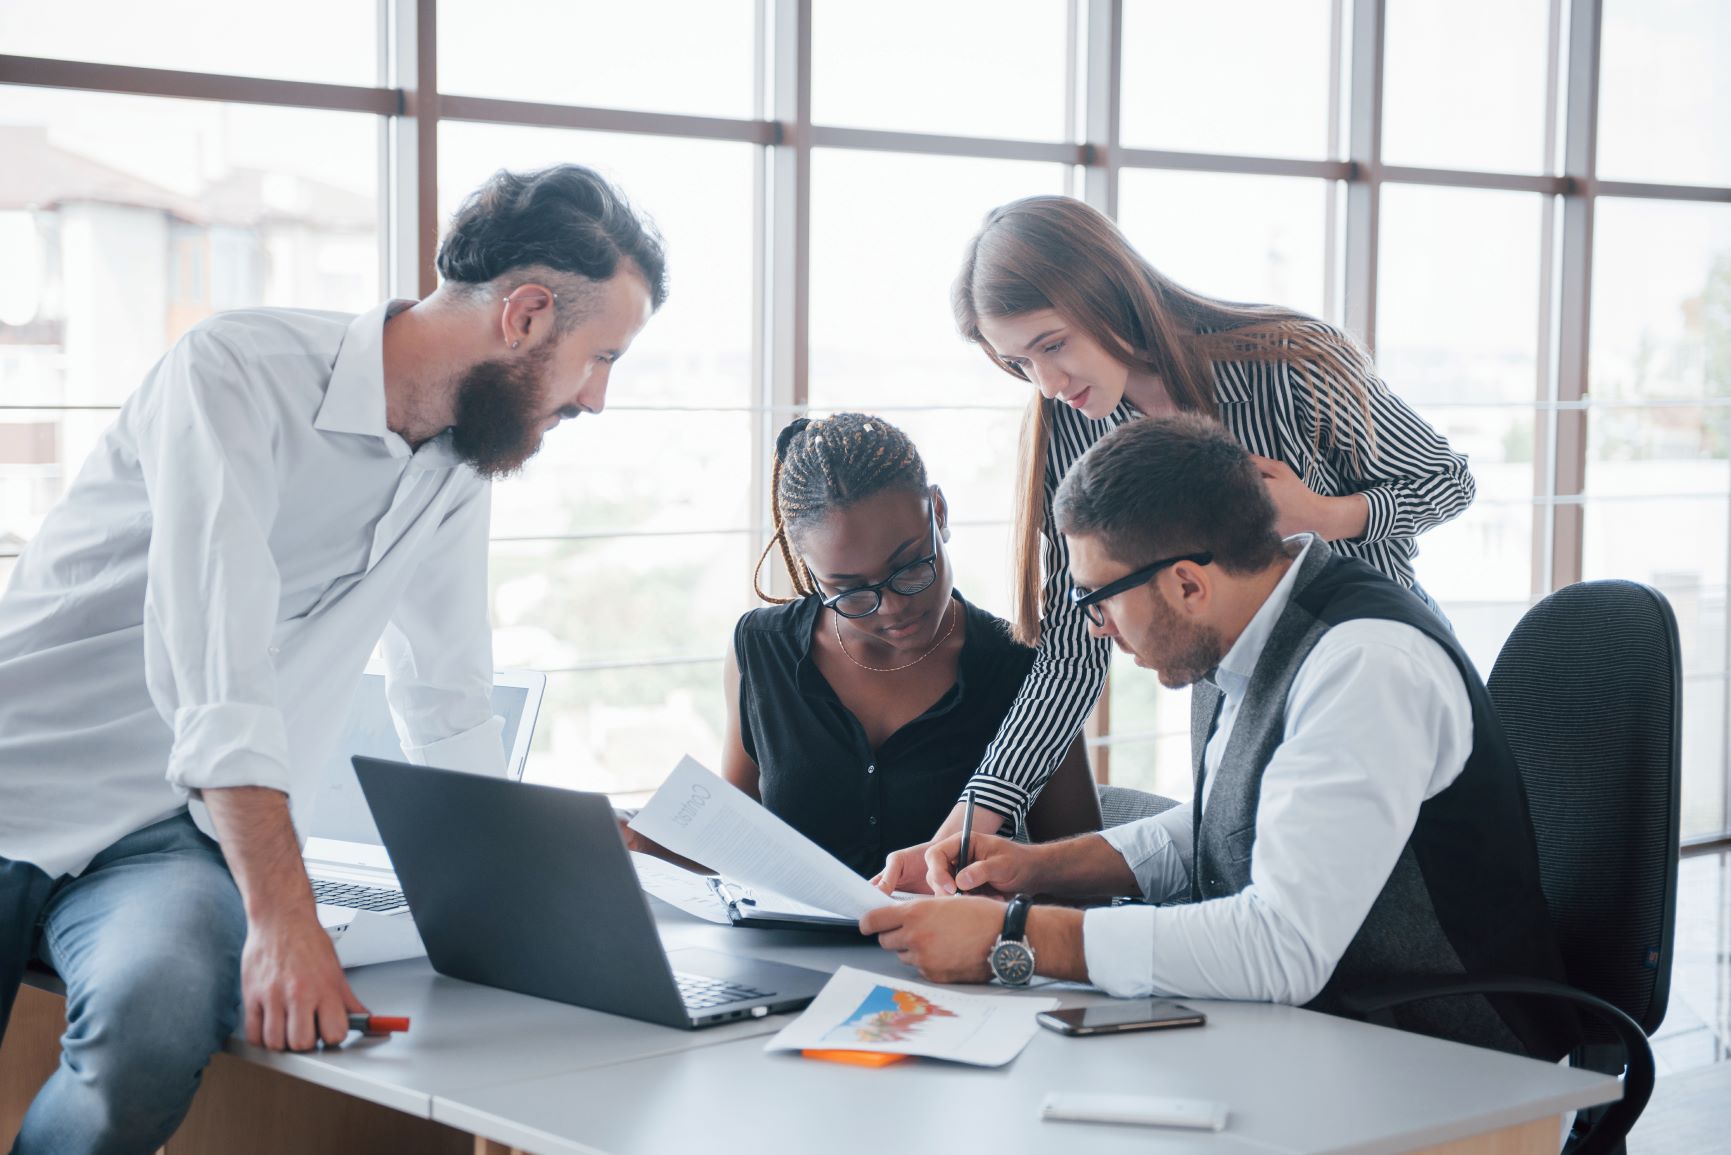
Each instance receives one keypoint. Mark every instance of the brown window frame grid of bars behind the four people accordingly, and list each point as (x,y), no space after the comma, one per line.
(411,108)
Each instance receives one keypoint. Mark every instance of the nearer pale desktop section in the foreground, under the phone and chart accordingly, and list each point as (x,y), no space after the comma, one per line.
(1296,1083)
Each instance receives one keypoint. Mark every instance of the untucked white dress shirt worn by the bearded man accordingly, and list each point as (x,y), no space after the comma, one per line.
(200,607)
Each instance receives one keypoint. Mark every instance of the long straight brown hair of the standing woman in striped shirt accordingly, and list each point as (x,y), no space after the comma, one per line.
(1053,252)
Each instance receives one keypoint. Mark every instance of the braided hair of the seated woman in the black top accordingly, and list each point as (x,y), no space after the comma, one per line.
(830,465)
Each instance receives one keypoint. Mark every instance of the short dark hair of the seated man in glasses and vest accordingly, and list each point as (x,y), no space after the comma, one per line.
(1166,487)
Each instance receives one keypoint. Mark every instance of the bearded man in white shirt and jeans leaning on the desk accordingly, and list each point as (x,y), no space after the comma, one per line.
(179,643)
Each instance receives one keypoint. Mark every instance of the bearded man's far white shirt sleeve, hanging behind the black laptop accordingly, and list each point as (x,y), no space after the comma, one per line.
(439,652)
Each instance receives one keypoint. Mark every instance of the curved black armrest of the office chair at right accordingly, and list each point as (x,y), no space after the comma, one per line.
(1638,1055)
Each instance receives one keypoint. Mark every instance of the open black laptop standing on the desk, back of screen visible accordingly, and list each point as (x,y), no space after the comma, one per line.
(532,889)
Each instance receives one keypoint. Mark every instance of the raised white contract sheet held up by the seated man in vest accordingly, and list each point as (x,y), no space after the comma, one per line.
(704,818)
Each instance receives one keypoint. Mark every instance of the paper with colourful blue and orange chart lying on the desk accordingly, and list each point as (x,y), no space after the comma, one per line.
(865,1012)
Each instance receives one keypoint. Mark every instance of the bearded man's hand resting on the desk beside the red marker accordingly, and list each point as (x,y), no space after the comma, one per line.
(293,986)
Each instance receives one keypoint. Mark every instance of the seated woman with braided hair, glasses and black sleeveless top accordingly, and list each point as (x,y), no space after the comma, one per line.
(859,707)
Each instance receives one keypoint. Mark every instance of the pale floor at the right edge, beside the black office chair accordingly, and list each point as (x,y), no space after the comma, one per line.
(1690,1113)
